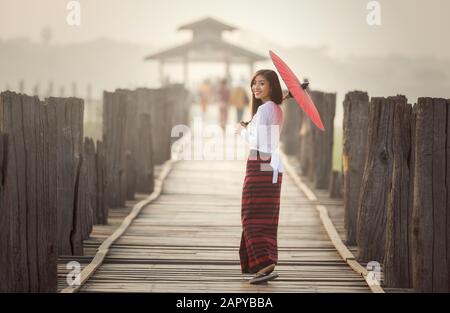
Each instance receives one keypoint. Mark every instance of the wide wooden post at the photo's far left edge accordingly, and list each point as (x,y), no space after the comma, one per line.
(28,211)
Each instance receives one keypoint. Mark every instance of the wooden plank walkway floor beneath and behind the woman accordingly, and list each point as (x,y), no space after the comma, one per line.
(188,239)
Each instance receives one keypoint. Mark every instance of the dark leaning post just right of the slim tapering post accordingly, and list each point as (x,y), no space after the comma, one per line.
(375,186)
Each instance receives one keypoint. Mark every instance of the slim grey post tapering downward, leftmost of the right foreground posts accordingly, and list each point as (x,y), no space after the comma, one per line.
(356,115)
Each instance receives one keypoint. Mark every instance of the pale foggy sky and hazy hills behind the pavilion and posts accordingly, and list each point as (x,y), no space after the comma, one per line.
(327,41)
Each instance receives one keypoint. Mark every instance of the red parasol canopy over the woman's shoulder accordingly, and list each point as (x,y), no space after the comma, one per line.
(295,88)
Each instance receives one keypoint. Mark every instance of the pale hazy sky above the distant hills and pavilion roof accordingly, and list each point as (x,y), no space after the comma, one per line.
(409,27)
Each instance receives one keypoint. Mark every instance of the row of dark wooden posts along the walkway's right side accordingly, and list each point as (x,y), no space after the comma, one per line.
(395,167)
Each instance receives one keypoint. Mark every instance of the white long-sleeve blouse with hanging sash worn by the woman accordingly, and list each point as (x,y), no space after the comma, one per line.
(263,134)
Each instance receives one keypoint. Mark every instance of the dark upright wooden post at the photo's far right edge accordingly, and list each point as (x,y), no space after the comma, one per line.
(431,204)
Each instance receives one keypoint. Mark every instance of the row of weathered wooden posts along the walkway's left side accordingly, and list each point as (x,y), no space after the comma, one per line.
(56,184)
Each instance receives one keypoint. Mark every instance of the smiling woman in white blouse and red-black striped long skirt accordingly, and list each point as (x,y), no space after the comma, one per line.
(262,185)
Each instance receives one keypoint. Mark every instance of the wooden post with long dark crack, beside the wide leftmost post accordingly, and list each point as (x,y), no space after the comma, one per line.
(65,116)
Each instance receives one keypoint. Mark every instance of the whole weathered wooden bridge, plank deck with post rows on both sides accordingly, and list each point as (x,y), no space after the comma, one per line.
(125,214)
